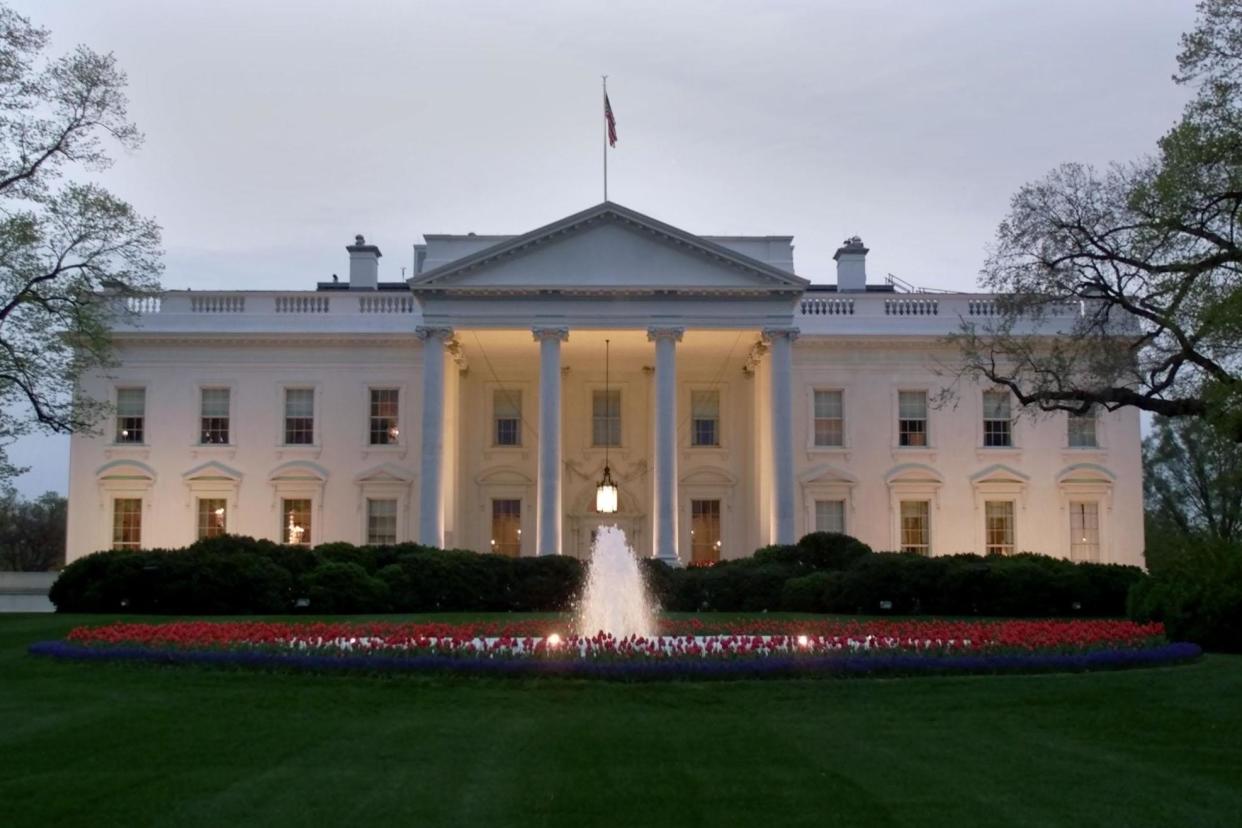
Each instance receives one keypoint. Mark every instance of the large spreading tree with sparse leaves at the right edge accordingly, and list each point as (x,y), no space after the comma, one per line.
(1140,265)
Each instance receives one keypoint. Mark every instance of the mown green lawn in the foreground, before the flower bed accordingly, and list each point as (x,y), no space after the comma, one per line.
(120,745)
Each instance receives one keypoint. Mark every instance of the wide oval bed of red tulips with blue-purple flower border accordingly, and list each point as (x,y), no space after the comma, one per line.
(684,649)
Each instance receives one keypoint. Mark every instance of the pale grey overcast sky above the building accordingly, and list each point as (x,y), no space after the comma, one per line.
(278,131)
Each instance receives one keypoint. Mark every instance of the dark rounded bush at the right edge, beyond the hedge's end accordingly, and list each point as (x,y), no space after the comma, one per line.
(1198,596)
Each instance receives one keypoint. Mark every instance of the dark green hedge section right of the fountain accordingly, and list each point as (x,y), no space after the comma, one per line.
(828,573)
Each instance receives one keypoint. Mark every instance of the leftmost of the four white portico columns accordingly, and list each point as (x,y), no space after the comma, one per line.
(432,496)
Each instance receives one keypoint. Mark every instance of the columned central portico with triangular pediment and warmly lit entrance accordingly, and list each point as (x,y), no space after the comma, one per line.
(691,323)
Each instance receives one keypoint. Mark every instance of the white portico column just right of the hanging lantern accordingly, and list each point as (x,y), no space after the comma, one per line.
(666,443)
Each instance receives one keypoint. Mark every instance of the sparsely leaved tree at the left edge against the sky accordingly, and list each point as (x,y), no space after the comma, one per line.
(61,243)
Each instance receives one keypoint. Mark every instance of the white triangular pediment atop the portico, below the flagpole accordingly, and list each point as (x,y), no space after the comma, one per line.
(603,250)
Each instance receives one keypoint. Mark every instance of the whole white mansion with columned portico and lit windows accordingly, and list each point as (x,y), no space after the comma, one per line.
(470,407)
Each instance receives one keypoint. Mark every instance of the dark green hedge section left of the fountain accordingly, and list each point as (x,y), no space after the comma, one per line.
(234,575)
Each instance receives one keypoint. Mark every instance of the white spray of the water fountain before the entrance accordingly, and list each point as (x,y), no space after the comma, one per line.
(615,600)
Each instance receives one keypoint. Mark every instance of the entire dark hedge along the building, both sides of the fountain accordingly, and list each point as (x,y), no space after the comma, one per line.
(823,573)
